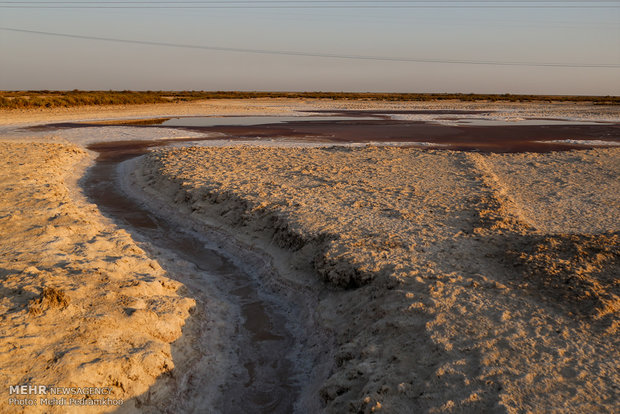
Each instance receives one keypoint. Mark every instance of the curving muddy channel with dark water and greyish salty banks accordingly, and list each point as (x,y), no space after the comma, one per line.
(266,367)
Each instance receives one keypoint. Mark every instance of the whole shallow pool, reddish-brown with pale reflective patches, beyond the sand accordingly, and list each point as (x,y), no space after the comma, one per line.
(452,130)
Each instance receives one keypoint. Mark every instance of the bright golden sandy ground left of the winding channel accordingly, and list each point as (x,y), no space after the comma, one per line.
(82,304)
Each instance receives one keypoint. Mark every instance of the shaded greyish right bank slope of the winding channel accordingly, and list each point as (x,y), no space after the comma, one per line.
(259,257)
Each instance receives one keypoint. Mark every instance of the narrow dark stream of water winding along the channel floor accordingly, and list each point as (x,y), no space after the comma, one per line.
(268,384)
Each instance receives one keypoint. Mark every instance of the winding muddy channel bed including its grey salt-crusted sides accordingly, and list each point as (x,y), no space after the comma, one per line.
(276,354)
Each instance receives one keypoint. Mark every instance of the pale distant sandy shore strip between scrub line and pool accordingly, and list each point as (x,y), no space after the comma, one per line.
(290,106)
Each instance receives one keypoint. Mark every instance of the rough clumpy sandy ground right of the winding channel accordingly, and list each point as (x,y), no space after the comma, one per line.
(453,288)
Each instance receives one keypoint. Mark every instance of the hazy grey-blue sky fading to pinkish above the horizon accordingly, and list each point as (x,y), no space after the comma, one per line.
(382,46)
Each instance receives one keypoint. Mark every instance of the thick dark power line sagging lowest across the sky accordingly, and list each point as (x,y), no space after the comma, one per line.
(317,55)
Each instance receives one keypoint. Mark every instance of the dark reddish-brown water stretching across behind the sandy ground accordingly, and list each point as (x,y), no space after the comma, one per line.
(508,137)
